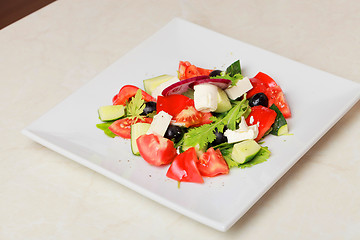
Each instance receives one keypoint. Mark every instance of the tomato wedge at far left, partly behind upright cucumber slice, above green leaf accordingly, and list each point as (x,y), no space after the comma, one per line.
(122,127)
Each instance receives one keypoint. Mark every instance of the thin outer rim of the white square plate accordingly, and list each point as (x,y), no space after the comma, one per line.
(221,226)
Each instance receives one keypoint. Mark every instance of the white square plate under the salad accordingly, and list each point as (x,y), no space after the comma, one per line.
(317,102)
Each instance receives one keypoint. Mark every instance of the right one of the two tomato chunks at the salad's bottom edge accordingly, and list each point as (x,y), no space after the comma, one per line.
(212,163)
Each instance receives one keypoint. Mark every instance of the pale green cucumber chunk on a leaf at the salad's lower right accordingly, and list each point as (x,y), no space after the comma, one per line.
(245,151)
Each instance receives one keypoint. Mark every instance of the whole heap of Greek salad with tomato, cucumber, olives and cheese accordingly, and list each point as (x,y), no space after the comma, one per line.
(201,123)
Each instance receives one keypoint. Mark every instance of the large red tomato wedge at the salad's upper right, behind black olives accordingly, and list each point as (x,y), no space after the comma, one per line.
(265,84)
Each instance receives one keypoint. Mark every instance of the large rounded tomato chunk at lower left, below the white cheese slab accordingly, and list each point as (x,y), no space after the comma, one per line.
(156,150)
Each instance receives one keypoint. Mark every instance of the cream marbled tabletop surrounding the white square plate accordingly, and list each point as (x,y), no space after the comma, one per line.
(50,54)
